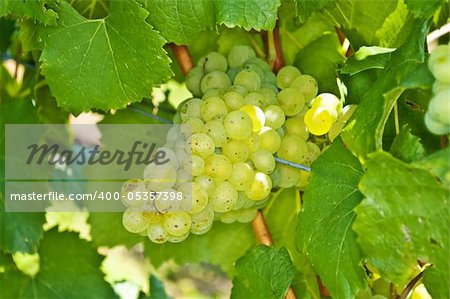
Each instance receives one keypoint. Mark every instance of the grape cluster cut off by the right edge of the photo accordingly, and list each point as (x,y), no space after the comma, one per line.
(437,117)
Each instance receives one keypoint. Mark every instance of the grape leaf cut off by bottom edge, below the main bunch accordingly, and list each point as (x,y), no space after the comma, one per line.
(263,272)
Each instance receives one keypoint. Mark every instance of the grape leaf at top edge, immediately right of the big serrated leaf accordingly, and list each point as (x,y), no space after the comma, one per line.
(180,21)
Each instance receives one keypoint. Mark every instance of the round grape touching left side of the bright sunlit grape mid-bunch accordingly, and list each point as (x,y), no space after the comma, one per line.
(238,125)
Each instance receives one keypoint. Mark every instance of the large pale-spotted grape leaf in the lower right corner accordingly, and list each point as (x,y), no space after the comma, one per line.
(404,218)
